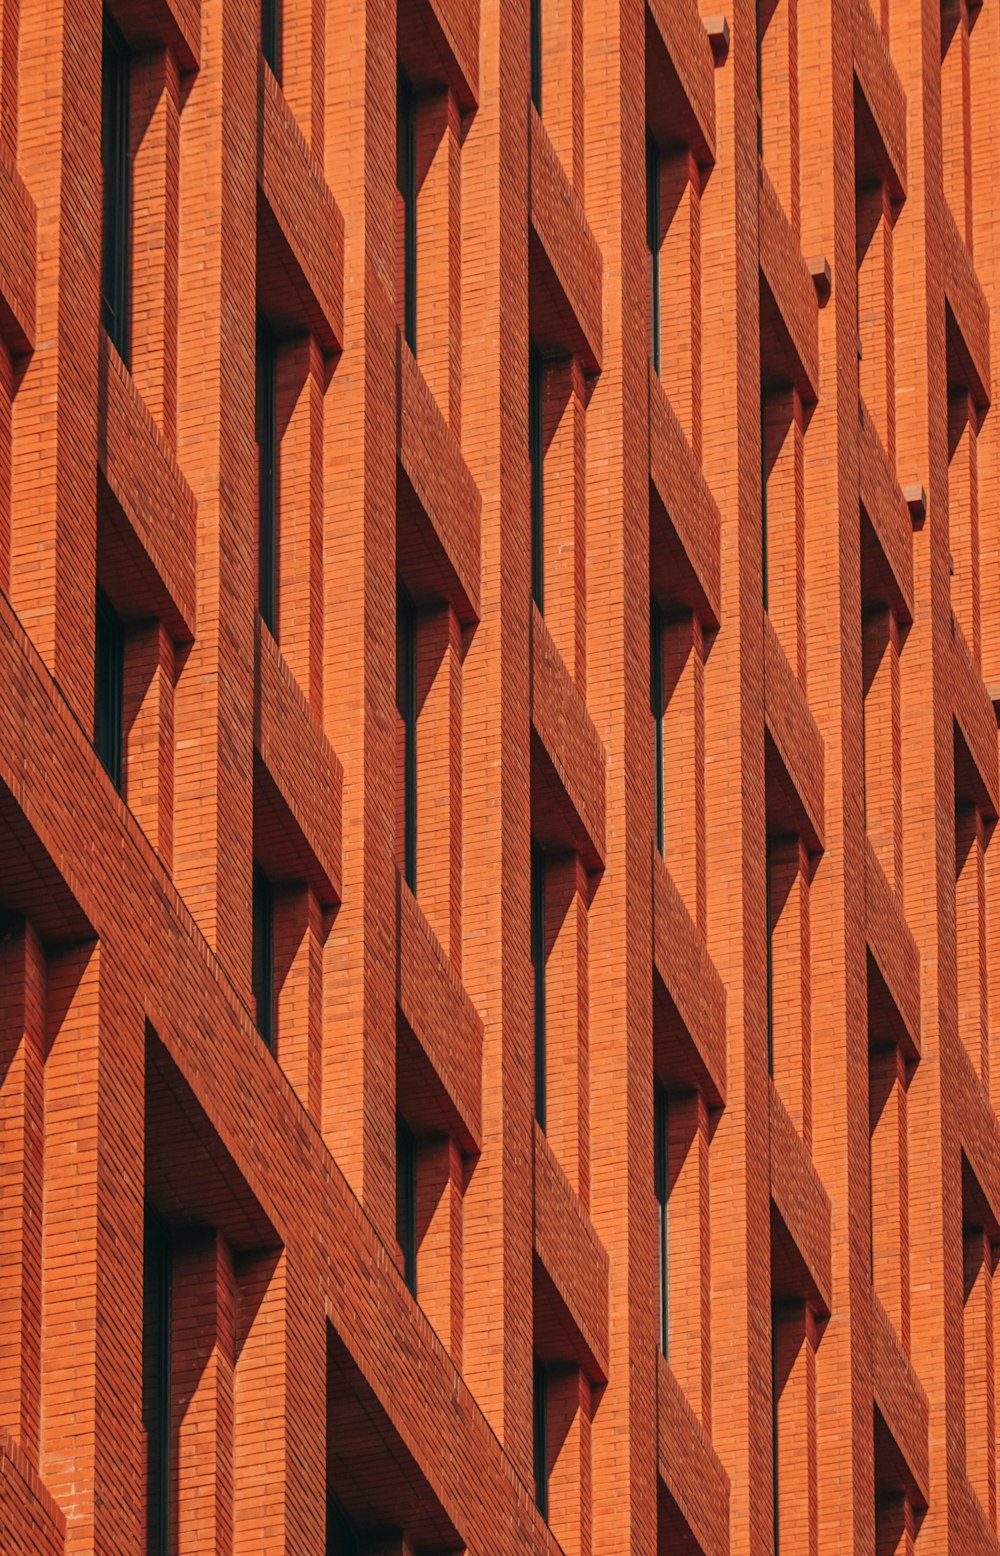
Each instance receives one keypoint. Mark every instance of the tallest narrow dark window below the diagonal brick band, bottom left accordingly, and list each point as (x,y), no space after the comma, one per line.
(156,1381)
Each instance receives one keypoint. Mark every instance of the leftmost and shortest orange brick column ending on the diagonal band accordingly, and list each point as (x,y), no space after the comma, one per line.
(54,482)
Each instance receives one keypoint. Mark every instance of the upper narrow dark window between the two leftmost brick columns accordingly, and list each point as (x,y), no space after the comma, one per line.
(117,173)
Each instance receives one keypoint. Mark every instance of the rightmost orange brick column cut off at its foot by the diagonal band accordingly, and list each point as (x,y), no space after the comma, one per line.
(497,734)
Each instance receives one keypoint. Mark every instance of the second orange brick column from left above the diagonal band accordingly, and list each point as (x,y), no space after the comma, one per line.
(215,440)
